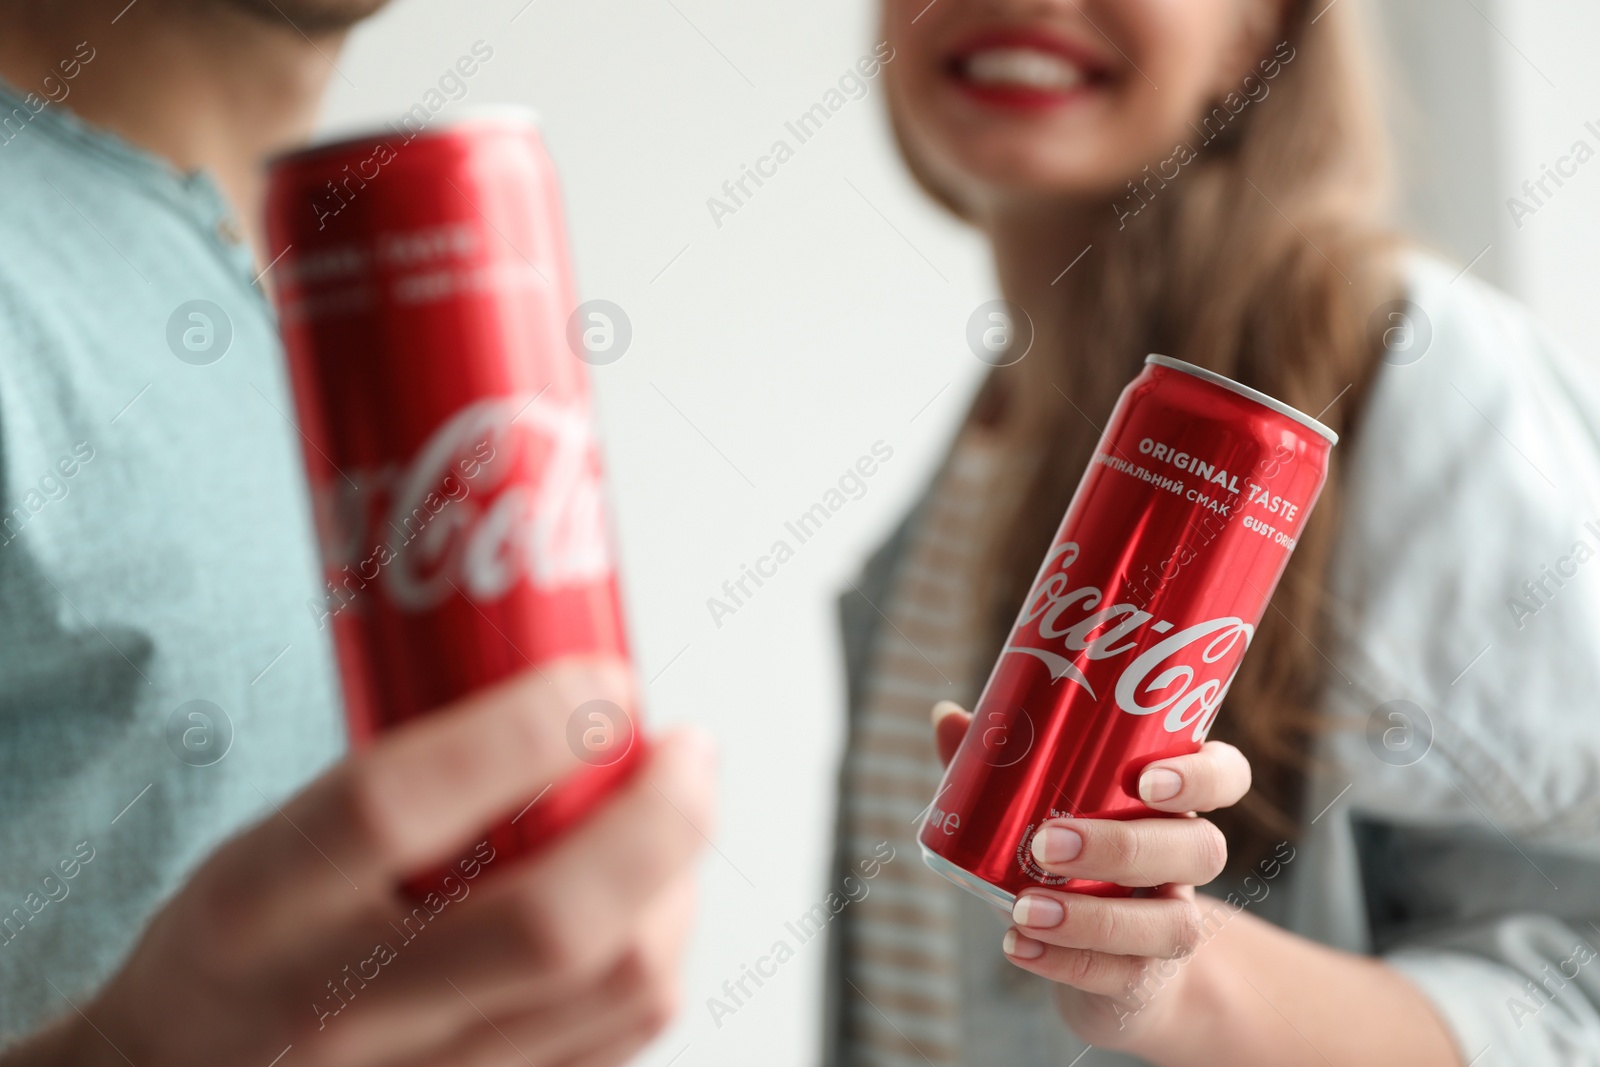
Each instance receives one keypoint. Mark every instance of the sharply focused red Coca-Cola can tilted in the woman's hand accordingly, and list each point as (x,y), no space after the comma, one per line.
(1137,621)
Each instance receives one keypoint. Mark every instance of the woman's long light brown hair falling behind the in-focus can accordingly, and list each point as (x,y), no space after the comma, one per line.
(1263,258)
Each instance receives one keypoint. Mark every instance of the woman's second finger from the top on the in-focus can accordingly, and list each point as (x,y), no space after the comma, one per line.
(1134,853)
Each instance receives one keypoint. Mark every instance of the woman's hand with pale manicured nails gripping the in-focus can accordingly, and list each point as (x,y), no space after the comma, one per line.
(1108,953)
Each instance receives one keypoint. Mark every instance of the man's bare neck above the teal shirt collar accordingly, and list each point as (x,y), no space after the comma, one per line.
(204,86)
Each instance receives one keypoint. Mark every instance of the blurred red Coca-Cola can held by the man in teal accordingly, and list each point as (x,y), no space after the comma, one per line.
(425,294)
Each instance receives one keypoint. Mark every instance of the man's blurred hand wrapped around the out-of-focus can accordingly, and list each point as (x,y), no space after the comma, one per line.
(567,959)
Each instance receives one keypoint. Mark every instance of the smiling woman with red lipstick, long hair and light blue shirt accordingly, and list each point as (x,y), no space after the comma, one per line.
(1414,868)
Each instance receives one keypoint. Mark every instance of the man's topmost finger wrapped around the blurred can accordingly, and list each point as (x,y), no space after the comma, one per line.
(415,799)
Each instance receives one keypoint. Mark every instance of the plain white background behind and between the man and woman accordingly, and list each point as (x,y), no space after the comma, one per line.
(830,314)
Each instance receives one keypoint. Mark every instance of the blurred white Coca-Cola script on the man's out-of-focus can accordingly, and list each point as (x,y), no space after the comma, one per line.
(506,490)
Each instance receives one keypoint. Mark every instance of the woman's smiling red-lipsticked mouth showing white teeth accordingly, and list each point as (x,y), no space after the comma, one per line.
(1023,68)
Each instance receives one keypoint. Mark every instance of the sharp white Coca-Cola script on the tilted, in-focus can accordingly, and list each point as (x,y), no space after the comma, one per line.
(1070,629)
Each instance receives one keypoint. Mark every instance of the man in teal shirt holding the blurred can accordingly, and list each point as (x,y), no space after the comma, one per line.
(162,684)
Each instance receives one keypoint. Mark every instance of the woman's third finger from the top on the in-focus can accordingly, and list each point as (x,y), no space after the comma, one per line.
(1166,929)
